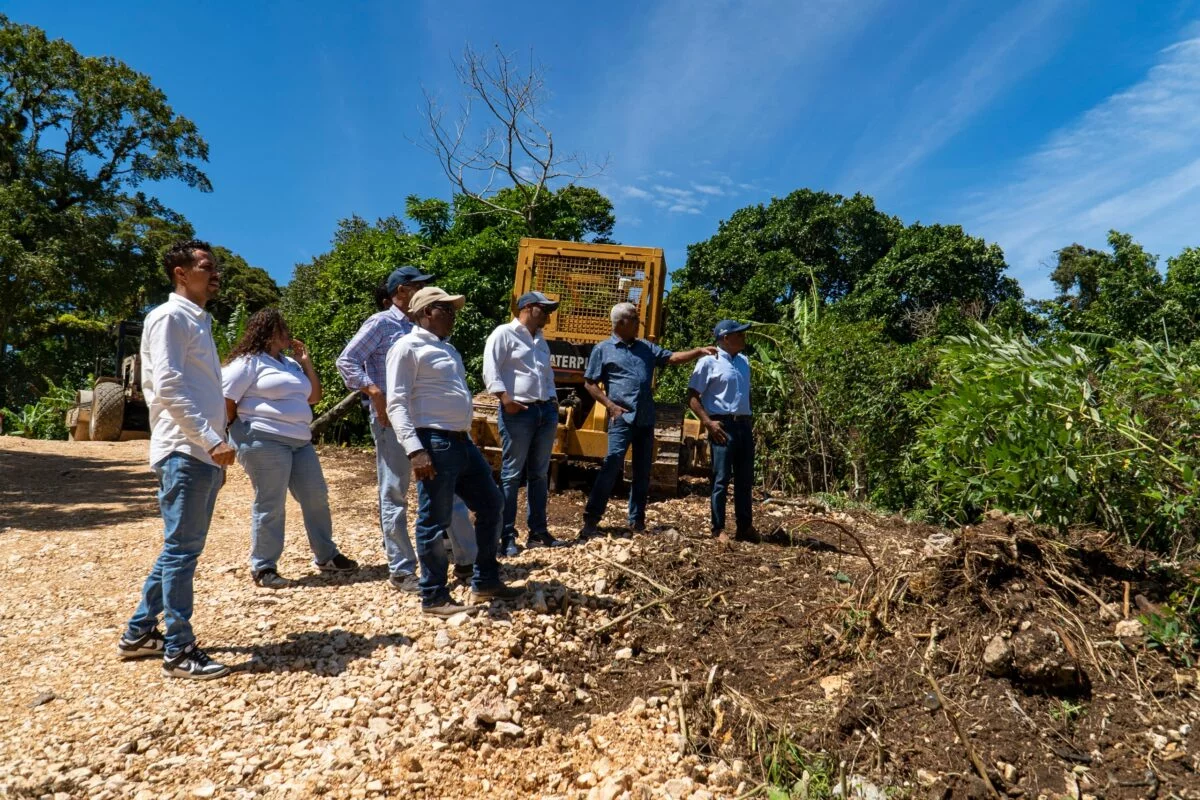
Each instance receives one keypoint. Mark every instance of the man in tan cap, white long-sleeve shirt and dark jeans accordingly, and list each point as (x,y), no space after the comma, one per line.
(430,407)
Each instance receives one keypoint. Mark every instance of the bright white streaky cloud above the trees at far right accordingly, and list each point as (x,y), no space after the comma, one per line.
(1131,164)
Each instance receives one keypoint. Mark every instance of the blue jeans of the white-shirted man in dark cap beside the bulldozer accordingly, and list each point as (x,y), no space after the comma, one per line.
(529,441)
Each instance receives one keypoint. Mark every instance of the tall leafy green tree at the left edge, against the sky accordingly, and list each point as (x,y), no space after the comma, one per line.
(80,244)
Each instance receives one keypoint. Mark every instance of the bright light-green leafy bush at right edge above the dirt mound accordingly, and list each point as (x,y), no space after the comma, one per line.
(1063,436)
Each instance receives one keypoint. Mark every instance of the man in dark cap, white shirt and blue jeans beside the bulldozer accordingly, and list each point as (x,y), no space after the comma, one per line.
(518,371)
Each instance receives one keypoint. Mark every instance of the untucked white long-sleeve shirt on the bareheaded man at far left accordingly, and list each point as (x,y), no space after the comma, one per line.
(182,381)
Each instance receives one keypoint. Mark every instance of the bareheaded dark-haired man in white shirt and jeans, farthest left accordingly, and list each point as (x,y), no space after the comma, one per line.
(182,382)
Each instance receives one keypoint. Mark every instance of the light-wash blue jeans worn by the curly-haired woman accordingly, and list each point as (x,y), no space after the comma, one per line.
(277,466)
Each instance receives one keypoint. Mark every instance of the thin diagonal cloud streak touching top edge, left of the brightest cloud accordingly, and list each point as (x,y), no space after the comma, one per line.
(938,109)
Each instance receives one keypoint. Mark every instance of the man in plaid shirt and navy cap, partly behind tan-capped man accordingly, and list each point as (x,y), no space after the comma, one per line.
(364,368)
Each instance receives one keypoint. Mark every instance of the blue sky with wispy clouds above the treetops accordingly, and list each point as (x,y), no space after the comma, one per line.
(1031,123)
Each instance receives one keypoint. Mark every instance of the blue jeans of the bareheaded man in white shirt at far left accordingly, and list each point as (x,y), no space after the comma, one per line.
(188,491)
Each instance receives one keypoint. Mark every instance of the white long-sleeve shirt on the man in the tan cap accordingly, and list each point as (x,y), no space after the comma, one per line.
(427,388)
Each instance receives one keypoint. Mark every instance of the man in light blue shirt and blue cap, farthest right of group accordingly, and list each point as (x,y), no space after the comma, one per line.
(719,394)
